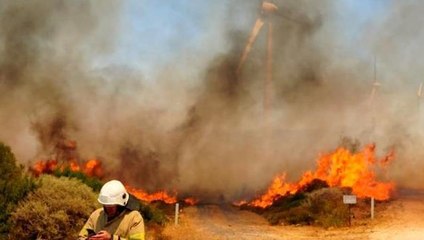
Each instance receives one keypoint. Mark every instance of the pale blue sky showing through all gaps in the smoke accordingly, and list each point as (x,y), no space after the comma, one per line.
(154,33)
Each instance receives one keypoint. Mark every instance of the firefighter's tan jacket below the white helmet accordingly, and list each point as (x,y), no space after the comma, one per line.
(128,225)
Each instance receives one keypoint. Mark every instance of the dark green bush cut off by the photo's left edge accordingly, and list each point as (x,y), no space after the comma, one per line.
(14,186)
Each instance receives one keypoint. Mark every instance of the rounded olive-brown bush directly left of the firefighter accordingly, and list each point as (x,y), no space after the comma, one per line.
(56,210)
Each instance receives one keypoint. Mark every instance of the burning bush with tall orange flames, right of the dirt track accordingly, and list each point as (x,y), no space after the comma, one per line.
(310,201)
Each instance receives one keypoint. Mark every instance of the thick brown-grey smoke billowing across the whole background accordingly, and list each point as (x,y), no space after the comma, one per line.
(206,133)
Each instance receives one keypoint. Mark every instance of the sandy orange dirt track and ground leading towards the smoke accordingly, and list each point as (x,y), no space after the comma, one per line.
(402,218)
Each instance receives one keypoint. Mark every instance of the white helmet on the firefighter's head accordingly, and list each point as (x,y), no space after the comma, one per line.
(113,193)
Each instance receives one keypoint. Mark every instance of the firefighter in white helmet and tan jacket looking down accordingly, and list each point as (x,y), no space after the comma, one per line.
(114,221)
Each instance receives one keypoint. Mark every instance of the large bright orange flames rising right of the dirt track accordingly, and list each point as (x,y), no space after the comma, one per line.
(338,169)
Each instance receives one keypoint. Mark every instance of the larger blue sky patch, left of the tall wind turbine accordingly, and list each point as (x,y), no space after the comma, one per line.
(154,33)
